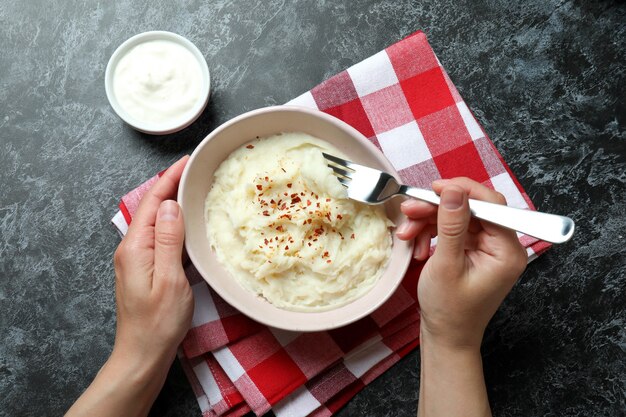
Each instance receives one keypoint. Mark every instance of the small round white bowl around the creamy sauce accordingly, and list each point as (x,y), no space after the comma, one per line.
(147,127)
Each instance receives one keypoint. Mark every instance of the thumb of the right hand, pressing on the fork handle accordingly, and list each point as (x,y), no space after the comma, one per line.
(452,223)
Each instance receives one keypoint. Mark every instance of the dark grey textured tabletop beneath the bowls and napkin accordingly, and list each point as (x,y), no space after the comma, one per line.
(545,79)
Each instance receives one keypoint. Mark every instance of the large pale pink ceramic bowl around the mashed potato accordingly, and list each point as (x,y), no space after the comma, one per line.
(196,182)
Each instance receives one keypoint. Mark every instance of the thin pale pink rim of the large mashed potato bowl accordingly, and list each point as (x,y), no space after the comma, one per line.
(242,307)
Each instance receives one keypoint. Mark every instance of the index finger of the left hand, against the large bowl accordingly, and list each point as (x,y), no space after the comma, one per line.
(165,188)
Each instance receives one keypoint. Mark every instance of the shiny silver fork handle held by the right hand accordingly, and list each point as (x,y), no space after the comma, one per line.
(545,226)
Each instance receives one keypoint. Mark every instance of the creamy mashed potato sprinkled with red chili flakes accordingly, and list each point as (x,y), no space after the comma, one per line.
(283,226)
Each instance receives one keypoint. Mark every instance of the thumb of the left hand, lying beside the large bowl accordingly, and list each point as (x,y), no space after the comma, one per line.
(169,235)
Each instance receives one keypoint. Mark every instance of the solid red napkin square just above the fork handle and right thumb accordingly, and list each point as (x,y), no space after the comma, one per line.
(463,161)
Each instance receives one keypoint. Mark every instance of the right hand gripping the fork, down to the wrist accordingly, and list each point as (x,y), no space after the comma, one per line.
(473,268)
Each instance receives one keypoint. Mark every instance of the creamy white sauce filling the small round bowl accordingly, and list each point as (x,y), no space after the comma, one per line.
(158,82)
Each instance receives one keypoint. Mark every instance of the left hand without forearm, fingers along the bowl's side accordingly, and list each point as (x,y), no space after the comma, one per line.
(154,299)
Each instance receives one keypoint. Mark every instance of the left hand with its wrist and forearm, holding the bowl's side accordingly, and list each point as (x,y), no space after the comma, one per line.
(154,307)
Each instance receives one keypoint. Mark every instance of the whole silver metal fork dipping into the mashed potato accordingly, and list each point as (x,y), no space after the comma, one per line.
(372,186)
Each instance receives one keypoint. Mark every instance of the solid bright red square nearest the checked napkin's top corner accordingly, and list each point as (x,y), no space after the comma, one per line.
(427,92)
